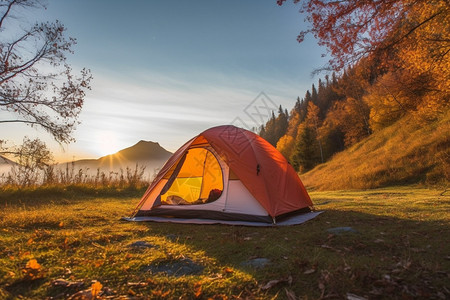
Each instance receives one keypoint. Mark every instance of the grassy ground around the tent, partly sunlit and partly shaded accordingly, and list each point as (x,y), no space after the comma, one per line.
(393,244)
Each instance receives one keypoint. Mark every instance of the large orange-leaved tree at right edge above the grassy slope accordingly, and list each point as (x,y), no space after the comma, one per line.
(418,80)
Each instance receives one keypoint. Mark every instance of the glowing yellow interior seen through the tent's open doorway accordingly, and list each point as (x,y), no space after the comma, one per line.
(198,181)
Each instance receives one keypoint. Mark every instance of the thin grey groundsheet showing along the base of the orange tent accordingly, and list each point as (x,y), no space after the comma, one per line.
(294,220)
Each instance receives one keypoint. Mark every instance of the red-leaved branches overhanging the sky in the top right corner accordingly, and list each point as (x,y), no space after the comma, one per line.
(354,29)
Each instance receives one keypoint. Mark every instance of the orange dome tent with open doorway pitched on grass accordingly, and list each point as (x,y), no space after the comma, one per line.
(226,175)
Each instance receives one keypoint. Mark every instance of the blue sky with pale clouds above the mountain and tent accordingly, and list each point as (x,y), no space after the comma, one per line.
(164,71)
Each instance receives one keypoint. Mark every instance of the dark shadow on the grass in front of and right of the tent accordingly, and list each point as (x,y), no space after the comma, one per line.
(380,257)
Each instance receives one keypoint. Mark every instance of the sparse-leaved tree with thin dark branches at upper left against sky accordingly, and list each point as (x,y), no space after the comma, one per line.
(37,85)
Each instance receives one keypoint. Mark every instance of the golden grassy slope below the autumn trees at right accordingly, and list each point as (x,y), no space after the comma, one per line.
(403,153)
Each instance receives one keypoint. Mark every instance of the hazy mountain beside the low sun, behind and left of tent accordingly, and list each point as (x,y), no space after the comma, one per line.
(143,154)
